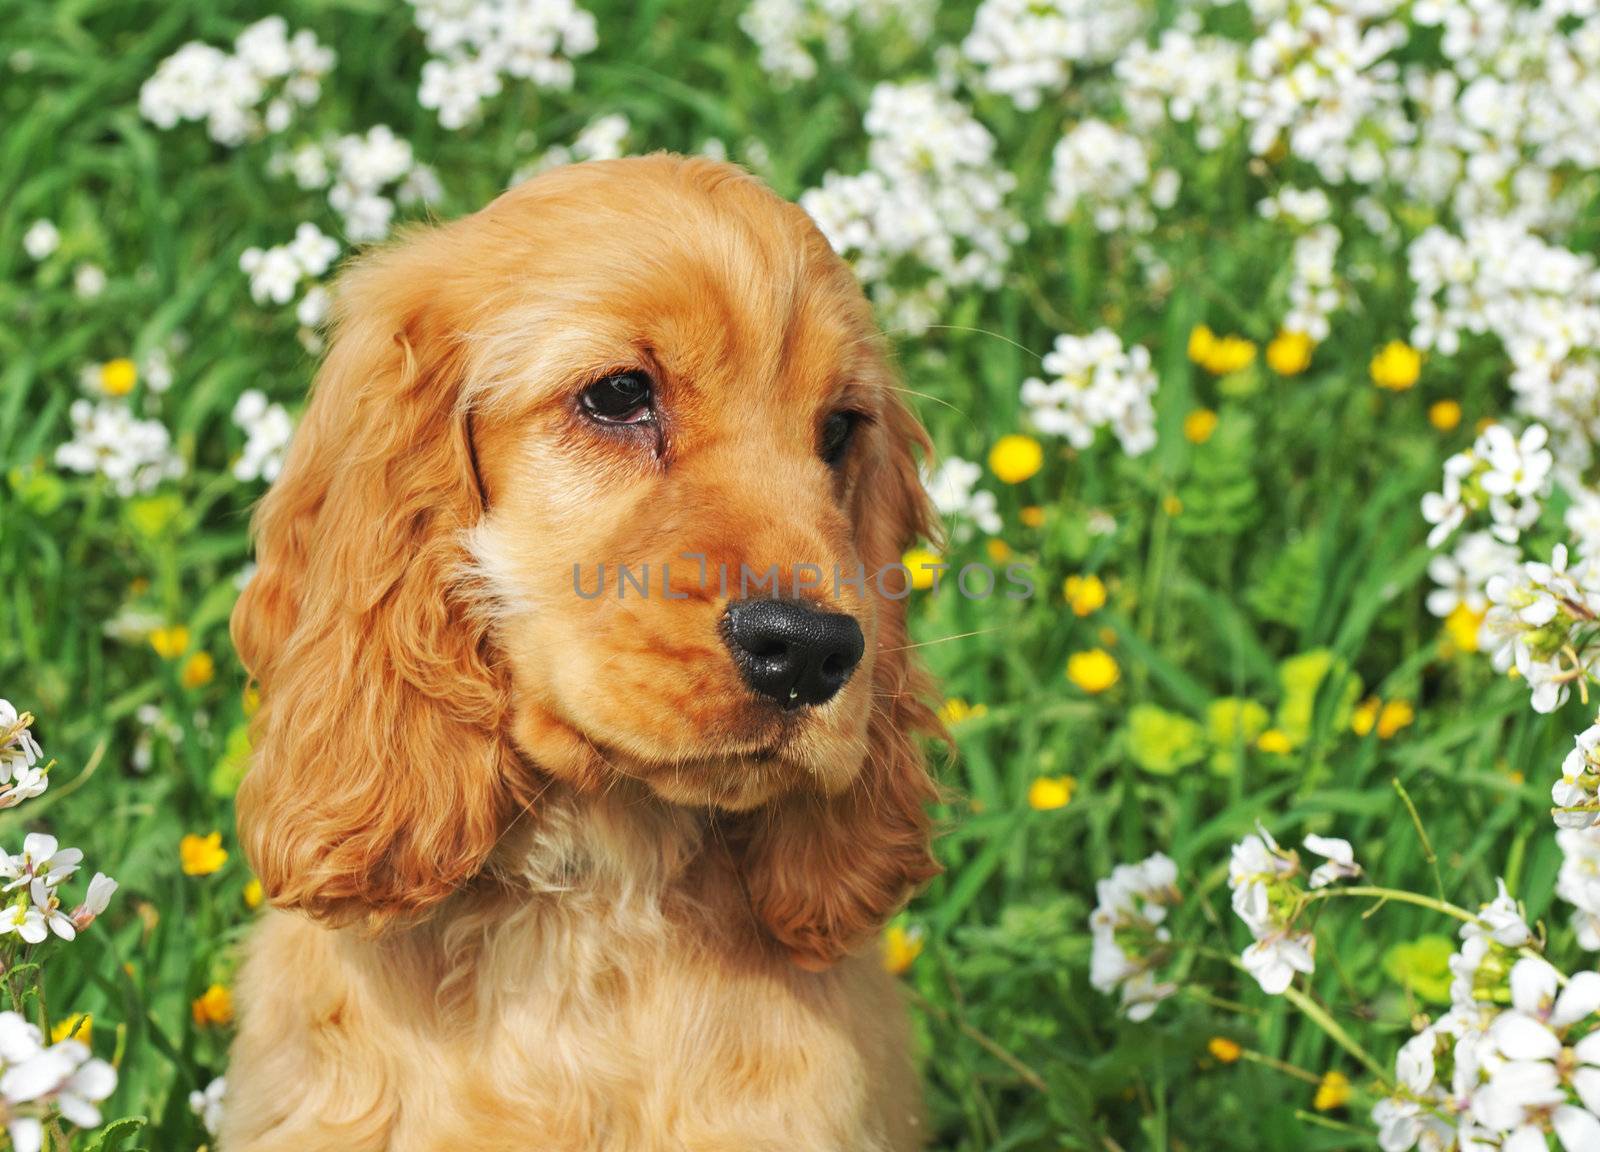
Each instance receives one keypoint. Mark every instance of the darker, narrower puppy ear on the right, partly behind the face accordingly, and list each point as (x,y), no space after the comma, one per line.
(826,873)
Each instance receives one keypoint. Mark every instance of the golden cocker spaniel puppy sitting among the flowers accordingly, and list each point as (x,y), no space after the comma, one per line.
(577,834)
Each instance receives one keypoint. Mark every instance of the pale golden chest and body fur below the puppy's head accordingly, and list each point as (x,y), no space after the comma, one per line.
(612,1004)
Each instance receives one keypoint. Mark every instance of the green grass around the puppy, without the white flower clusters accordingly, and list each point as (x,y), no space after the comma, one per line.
(1294,529)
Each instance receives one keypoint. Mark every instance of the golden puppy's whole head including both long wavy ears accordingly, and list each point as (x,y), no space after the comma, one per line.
(604,481)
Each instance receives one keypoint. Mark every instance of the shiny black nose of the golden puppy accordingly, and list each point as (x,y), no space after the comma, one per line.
(790,652)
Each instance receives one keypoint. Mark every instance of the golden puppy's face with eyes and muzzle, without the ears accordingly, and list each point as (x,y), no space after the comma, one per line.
(695,418)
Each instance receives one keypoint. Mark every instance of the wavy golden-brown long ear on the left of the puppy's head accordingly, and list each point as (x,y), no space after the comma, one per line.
(380,778)
